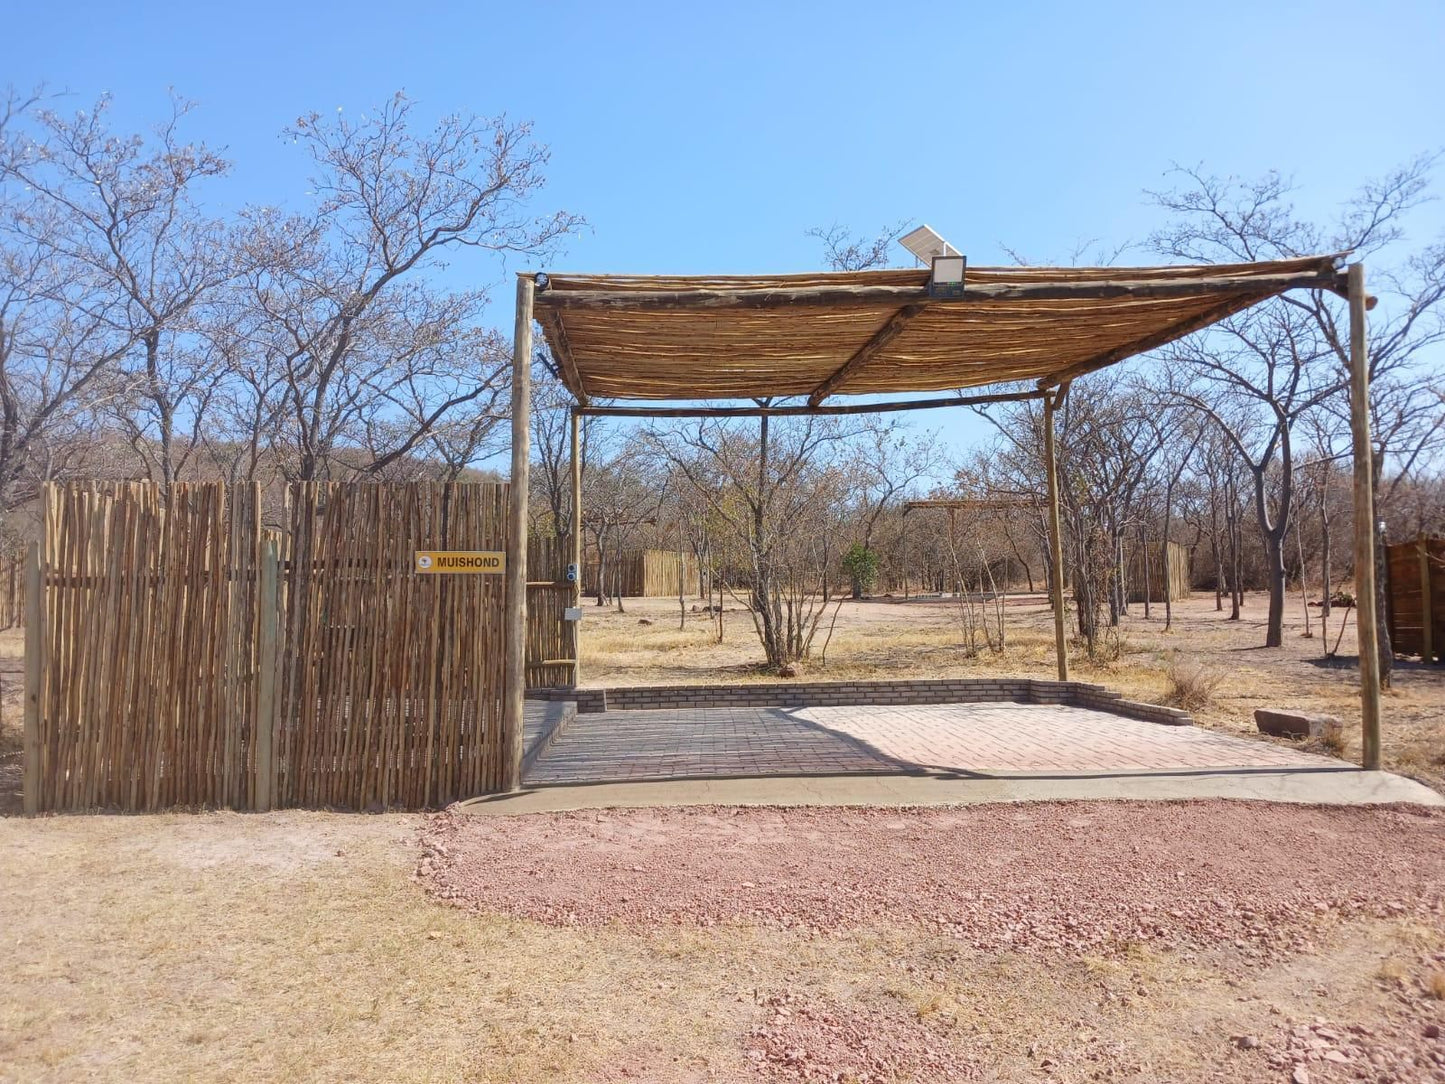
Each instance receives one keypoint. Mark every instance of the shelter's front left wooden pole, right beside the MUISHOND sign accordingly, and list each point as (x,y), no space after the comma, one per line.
(517,631)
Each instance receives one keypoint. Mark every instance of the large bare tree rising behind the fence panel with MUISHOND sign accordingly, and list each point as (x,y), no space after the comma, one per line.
(372,358)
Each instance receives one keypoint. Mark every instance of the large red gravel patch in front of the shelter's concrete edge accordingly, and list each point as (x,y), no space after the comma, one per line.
(1079,877)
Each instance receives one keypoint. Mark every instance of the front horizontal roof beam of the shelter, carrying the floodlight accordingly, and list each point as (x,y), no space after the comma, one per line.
(837,296)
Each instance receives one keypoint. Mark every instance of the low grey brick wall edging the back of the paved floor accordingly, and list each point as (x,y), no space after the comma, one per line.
(798,694)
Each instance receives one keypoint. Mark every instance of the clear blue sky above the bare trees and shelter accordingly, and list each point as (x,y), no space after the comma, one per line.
(709,138)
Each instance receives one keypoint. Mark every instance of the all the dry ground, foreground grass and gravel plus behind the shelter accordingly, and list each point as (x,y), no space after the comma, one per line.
(1189,943)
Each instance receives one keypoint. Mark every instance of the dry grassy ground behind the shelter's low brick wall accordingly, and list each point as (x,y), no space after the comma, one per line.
(891,638)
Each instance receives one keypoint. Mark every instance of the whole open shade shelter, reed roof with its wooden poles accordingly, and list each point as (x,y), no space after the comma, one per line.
(824,335)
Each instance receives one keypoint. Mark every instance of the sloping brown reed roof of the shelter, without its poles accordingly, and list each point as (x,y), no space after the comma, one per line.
(824,335)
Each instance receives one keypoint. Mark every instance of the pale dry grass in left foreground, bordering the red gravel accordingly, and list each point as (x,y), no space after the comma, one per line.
(296,945)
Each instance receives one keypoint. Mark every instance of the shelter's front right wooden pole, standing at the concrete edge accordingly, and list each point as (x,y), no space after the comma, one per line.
(1363,524)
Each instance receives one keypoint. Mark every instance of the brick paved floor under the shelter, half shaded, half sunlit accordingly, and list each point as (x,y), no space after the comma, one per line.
(624,747)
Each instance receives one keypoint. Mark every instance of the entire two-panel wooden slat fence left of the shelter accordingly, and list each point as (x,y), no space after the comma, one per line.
(187,657)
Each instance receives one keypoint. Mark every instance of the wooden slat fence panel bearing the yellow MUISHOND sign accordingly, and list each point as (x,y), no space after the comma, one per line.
(392,681)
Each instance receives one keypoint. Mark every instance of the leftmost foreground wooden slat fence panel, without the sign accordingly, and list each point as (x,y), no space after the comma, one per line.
(147,650)
